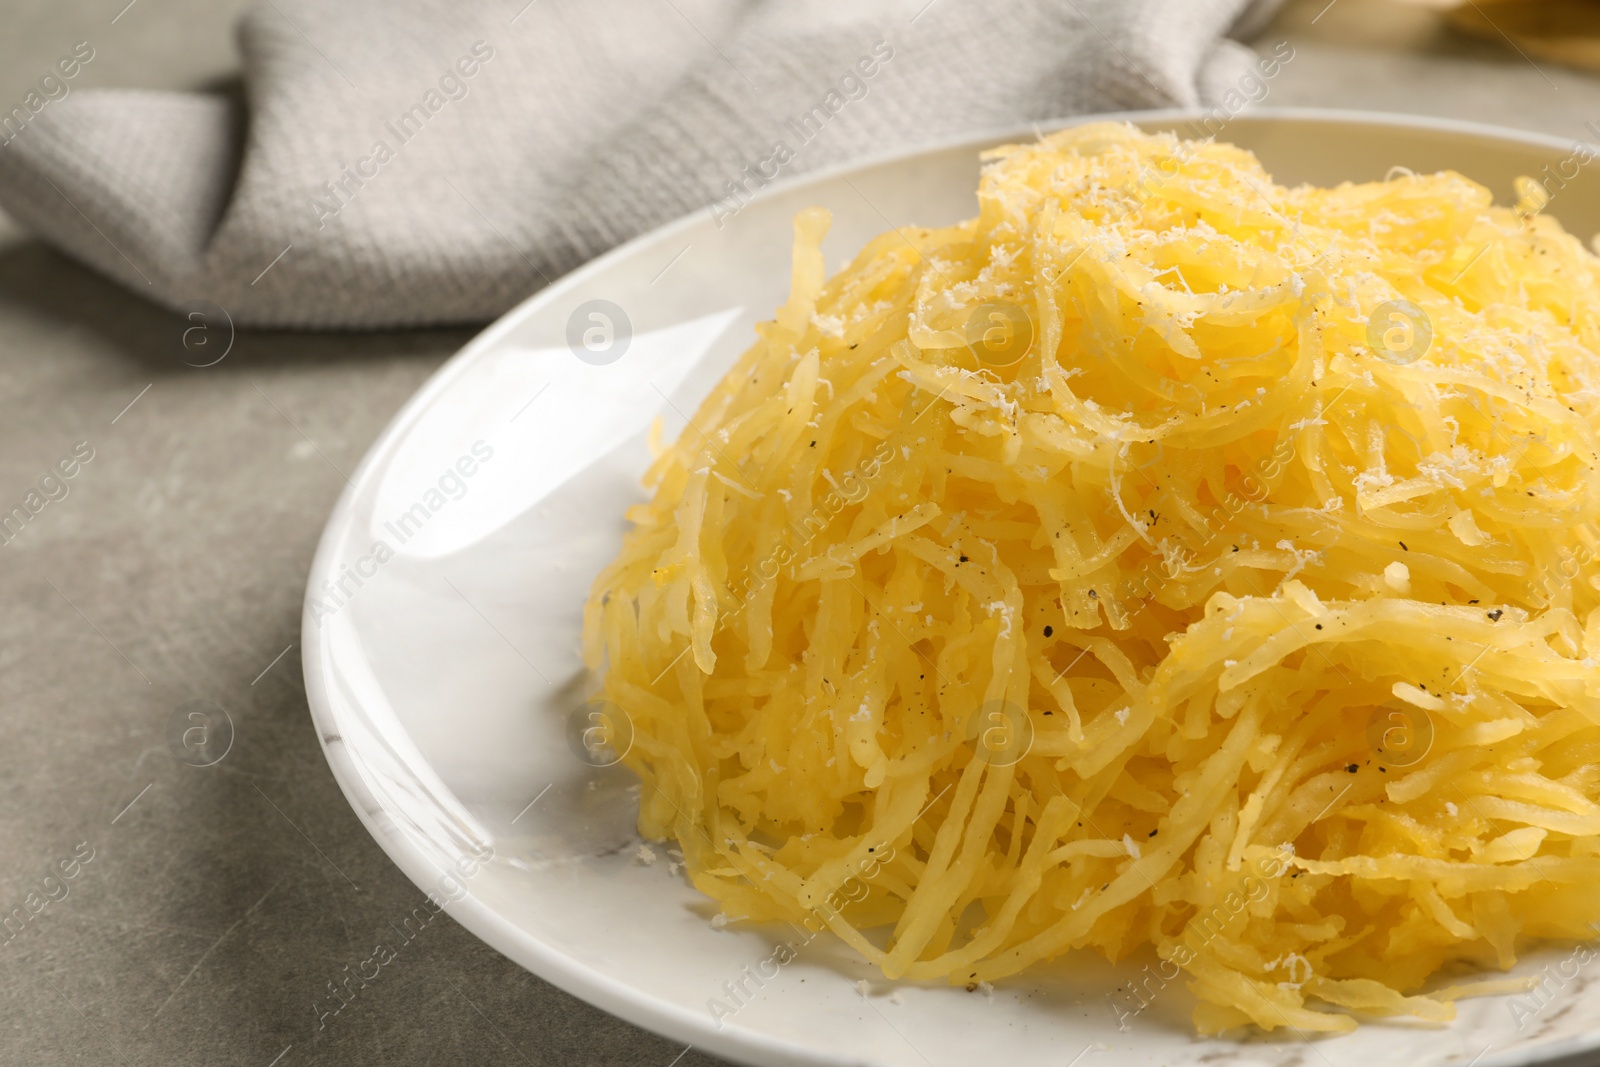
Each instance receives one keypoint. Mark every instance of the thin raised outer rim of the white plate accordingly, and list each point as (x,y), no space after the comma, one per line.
(540,959)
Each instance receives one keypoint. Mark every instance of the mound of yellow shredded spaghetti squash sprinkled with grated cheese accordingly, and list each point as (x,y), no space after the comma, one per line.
(1161,559)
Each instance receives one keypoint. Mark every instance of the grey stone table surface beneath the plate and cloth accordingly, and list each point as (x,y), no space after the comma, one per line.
(218,903)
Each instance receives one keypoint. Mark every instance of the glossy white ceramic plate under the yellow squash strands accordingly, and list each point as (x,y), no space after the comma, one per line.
(442,684)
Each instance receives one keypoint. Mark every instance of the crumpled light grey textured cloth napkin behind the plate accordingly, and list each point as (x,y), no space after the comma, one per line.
(433,162)
